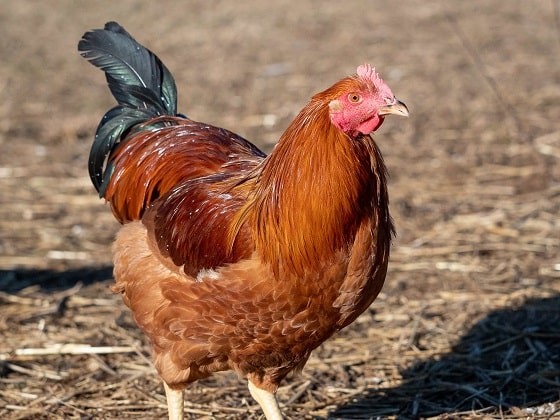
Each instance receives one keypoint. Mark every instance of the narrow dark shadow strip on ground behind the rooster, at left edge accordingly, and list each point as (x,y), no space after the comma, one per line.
(12,281)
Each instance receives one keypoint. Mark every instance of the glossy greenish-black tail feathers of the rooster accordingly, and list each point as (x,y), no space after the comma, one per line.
(139,81)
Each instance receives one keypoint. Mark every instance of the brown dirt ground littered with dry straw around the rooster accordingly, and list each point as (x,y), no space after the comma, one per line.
(468,324)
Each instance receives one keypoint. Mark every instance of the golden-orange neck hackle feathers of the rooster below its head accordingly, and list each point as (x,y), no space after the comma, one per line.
(315,190)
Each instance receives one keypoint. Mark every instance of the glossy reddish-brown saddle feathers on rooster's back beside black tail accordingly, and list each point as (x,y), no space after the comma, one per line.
(150,163)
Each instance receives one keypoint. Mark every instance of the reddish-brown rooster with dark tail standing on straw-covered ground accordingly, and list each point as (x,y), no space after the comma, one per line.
(229,258)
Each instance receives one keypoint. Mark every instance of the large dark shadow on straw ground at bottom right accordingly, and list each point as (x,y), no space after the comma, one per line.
(507,361)
